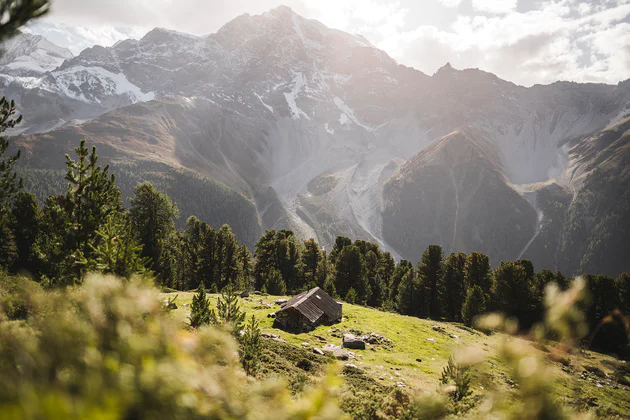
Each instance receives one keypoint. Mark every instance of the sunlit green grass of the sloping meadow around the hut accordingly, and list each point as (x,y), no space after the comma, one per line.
(385,366)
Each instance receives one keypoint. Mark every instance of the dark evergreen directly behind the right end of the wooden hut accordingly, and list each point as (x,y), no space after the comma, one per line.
(351,274)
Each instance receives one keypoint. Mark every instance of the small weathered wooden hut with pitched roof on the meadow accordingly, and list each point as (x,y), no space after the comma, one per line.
(307,310)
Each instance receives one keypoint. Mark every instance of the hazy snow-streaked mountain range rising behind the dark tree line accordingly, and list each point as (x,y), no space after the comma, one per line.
(319,131)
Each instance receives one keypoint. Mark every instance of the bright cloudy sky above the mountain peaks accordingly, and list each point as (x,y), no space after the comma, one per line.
(524,41)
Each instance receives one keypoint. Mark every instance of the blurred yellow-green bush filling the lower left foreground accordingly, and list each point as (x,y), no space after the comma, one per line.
(108,350)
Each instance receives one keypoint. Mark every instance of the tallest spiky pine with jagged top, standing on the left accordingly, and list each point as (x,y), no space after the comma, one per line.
(92,196)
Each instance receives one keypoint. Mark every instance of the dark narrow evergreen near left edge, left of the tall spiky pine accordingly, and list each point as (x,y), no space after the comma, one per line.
(26,227)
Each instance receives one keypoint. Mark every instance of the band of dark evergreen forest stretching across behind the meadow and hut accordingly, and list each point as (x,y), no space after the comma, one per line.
(84,227)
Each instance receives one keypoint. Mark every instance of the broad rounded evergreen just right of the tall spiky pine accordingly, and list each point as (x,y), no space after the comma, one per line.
(152,218)
